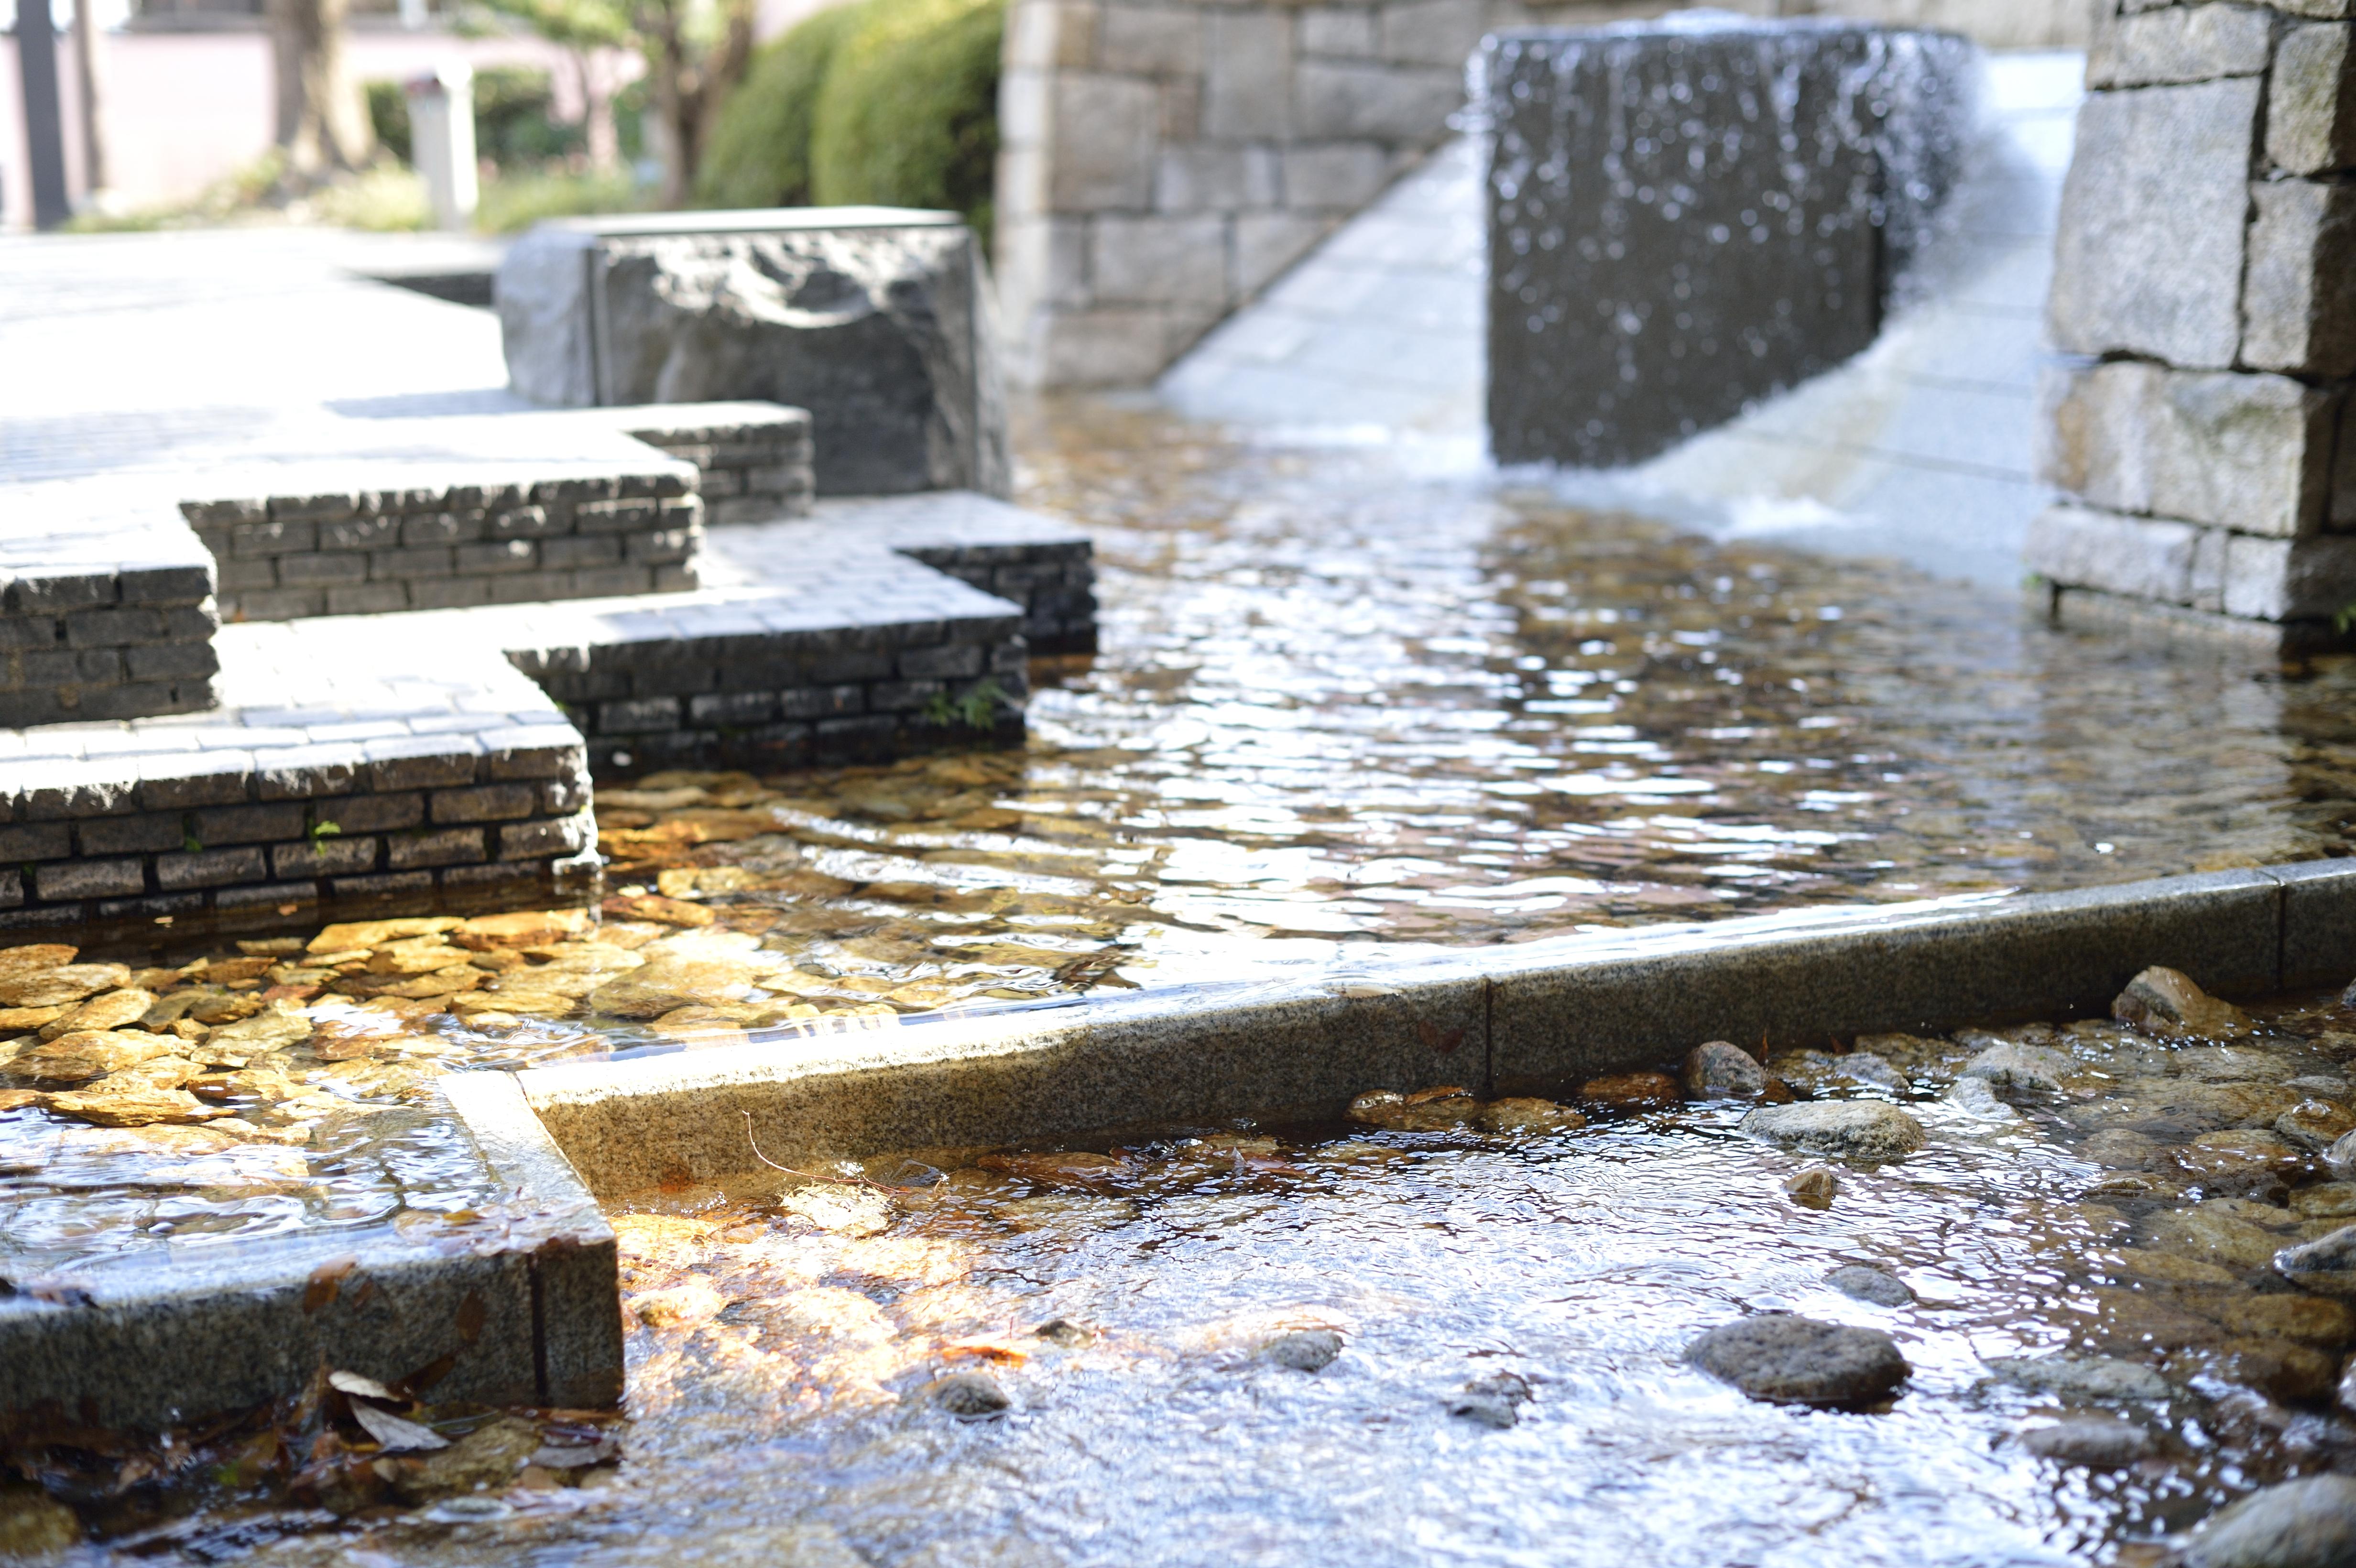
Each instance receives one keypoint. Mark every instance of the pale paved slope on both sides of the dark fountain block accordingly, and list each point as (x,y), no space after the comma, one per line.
(1921,449)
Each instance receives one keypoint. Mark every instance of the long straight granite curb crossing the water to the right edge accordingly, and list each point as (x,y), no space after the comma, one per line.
(1526,1018)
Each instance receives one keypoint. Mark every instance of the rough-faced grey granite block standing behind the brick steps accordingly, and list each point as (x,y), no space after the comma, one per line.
(875,319)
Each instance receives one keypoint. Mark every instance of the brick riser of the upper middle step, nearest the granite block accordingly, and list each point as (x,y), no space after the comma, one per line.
(451,547)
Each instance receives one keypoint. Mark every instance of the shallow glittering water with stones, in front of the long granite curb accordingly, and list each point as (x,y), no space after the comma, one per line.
(793,1336)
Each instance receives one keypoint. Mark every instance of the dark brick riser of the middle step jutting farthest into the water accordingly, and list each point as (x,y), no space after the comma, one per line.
(720,691)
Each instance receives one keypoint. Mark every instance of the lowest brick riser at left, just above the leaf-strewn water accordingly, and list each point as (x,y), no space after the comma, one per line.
(454,818)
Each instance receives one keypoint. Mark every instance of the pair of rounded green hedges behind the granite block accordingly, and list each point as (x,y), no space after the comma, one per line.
(892,102)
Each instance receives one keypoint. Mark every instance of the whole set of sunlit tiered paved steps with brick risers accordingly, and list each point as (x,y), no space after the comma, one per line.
(225,368)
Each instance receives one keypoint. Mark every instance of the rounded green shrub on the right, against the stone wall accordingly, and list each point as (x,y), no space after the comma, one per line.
(911,112)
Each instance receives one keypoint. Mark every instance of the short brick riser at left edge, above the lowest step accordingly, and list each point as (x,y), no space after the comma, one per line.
(100,646)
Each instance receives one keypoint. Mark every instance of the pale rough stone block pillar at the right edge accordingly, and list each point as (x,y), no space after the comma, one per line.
(2206,295)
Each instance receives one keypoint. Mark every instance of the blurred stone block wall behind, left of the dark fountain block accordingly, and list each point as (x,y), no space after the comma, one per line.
(1163,164)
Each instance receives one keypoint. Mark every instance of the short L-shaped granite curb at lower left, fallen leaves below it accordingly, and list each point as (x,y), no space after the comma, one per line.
(519,1308)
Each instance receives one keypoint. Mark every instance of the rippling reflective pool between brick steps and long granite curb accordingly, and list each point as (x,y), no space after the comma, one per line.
(1342,703)
